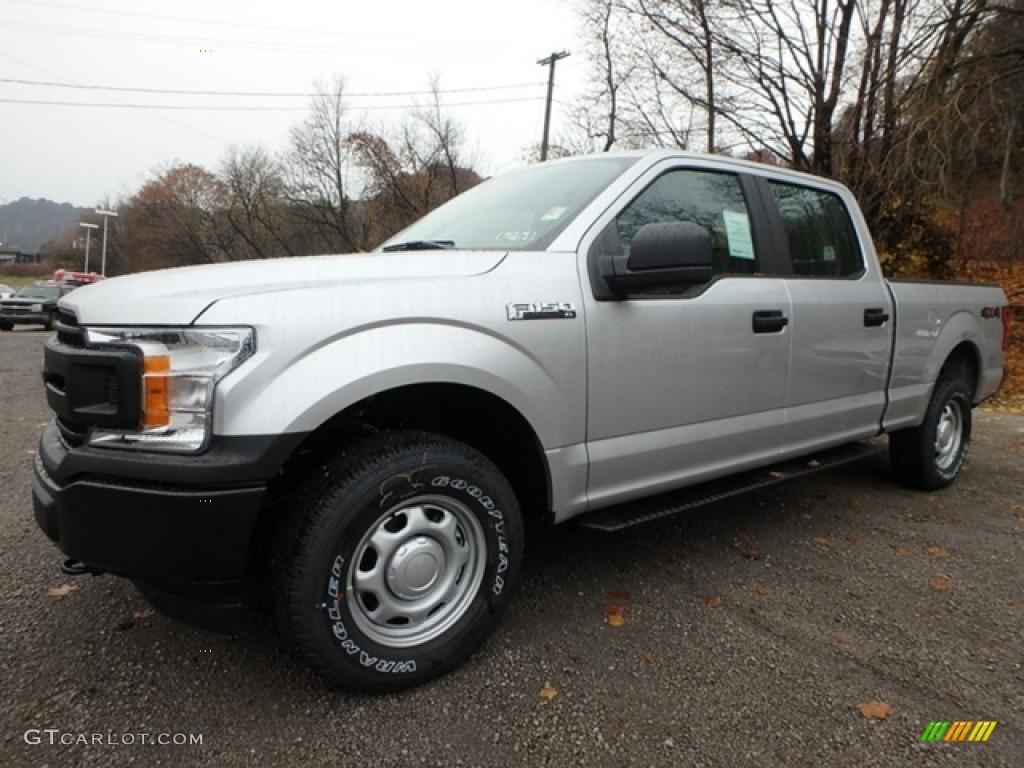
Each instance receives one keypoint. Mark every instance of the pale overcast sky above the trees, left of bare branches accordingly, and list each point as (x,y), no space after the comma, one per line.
(110,142)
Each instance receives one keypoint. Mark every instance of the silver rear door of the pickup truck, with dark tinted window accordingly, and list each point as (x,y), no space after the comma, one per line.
(842,319)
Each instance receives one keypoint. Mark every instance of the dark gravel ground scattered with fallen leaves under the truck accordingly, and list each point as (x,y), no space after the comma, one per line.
(753,630)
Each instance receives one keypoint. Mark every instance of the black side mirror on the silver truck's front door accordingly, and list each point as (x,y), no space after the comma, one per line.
(664,253)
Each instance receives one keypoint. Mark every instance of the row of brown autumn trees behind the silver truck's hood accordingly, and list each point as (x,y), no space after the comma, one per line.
(339,188)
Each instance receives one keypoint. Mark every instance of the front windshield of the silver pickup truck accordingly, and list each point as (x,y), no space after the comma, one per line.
(524,210)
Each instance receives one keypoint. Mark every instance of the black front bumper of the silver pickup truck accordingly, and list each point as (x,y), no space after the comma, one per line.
(182,528)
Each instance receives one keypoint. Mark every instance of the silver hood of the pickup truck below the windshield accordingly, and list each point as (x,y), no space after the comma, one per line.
(179,296)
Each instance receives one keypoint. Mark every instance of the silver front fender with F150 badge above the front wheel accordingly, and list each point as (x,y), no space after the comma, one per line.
(339,349)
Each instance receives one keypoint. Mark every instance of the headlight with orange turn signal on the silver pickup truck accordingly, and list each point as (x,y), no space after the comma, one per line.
(181,370)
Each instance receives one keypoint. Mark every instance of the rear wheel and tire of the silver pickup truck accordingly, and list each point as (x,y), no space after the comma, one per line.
(930,457)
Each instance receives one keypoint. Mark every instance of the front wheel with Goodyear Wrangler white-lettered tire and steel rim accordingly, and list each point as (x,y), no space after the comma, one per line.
(398,561)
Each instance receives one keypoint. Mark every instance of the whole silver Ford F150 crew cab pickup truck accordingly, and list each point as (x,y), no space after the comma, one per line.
(367,438)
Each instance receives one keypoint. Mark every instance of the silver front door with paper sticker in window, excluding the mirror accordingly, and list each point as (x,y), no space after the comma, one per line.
(686,382)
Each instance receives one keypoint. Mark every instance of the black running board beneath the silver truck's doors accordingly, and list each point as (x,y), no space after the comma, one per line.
(648,510)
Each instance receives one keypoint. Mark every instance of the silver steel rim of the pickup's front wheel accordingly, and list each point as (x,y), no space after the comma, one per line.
(416,572)
